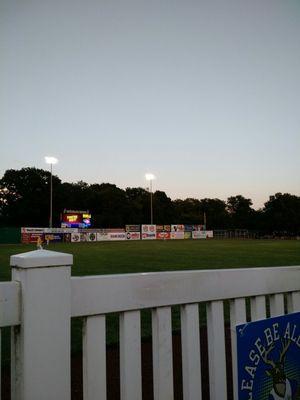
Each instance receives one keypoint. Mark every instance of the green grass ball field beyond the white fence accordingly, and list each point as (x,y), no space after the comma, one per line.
(130,257)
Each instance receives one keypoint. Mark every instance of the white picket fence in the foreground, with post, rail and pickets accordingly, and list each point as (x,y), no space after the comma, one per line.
(42,297)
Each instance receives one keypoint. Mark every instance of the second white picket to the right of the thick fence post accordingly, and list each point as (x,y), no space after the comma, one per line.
(130,356)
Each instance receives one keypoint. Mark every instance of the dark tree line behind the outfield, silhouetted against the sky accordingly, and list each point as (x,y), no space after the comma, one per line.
(24,201)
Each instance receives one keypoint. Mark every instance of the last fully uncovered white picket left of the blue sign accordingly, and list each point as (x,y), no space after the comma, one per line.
(216,350)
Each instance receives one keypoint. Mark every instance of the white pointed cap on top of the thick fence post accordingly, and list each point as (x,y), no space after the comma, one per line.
(41,258)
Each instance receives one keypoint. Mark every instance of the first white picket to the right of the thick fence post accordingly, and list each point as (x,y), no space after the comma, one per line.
(94,358)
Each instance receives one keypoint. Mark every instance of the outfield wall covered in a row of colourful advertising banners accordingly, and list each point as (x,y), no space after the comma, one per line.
(130,232)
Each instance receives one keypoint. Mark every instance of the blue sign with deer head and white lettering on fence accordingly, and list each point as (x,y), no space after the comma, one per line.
(268,354)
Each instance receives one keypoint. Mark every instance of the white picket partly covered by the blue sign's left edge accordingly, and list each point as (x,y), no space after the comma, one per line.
(237,316)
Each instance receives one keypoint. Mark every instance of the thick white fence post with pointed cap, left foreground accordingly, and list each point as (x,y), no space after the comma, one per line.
(41,344)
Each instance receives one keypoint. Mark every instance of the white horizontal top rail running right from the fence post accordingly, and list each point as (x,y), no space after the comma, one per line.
(94,295)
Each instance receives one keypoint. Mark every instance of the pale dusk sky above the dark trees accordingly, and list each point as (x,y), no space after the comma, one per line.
(203,94)
